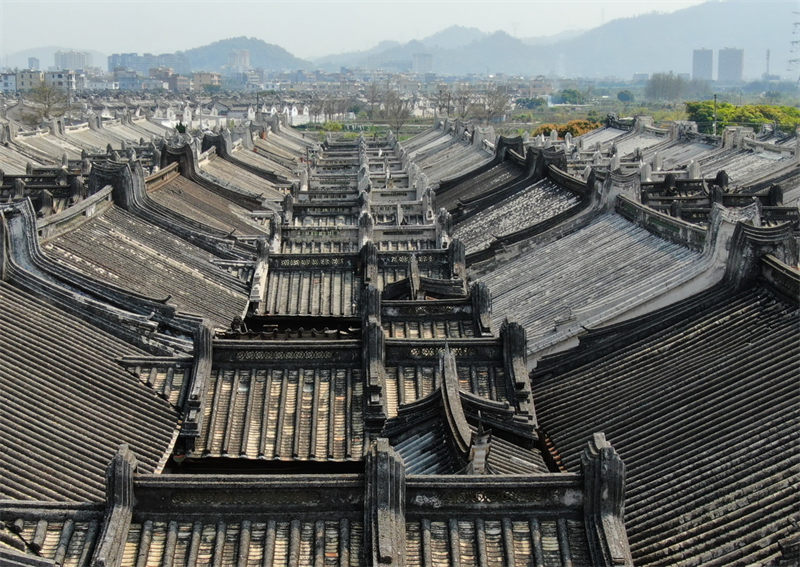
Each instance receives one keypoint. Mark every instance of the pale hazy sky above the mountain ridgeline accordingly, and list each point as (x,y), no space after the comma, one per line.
(305,28)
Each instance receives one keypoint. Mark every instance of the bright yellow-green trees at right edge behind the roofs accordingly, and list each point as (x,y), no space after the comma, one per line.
(786,118)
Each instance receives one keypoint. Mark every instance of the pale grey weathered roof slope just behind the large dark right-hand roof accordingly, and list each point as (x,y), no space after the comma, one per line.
(596,266)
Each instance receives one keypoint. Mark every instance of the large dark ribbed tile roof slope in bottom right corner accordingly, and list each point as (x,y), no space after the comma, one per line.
(701,401)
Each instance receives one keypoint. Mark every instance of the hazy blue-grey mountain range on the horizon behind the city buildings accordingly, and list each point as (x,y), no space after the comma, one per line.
(643,44)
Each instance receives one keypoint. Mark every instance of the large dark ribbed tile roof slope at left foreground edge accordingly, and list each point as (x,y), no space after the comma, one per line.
(67,404)
